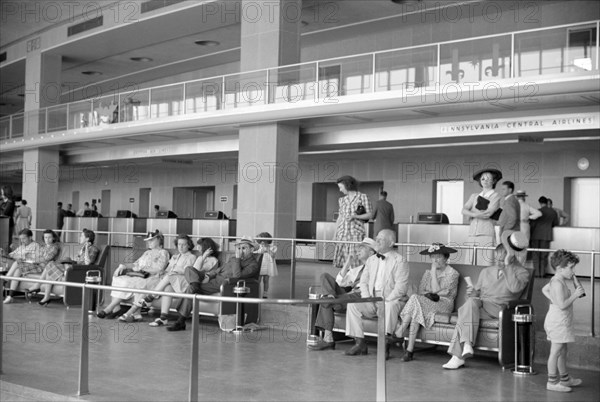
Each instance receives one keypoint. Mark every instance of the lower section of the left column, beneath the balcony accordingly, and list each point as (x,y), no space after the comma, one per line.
(40,185)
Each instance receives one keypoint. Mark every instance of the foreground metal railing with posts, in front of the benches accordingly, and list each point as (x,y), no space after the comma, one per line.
(83,378)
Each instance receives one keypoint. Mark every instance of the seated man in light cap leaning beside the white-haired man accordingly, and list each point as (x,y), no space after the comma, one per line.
(344,286)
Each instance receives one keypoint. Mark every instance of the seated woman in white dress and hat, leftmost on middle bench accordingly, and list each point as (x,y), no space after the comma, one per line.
(143,274)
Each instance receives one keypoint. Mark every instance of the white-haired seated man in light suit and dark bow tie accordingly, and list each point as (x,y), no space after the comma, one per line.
(385,274)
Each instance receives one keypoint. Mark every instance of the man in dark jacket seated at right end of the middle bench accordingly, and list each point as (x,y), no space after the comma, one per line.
(243,266)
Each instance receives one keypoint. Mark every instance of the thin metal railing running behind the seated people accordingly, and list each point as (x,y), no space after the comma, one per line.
(293,257)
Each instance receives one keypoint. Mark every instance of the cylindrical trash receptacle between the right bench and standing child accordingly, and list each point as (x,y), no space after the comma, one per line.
(524,340)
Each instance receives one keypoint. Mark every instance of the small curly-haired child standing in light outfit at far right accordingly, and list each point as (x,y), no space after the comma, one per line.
(559,320)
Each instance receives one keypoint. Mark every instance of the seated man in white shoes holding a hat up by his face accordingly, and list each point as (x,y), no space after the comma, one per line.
(497,285)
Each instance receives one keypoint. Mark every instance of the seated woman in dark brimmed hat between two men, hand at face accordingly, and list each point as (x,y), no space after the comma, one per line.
(437,292)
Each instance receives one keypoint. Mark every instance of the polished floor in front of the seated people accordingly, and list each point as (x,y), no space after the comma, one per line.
(138,362)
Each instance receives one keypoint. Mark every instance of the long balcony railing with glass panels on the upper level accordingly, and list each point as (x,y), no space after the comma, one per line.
(563,50)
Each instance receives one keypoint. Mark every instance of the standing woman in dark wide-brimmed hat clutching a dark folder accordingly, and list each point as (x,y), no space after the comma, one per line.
(480,209)
